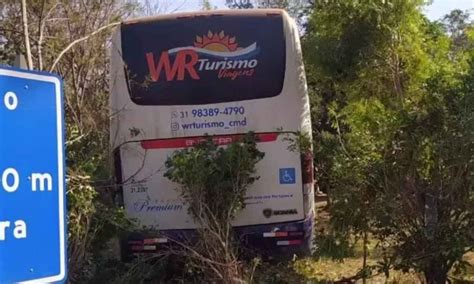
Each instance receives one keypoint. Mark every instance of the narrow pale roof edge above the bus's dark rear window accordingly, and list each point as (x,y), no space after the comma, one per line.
(210,13)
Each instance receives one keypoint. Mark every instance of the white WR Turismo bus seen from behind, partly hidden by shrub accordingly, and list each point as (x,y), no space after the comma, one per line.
(176,78)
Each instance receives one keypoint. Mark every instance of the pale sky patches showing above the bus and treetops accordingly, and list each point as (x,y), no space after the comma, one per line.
(435,11)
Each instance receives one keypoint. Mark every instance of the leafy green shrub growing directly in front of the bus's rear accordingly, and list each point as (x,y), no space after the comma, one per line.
(213,184)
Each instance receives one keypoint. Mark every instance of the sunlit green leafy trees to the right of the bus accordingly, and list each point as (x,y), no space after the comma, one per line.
(396,145)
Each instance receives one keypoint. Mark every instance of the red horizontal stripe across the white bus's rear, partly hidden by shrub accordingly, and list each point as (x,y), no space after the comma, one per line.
(189,142)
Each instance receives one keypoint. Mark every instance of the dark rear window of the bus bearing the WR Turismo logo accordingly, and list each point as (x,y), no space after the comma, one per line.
(204,60)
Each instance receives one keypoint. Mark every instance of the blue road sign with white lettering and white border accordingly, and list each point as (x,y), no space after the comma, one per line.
(32,186)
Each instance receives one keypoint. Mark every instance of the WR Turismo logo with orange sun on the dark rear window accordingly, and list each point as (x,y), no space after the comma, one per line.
(214,51)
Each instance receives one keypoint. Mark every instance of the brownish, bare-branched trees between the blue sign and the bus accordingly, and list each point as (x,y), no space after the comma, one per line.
(52,26)
